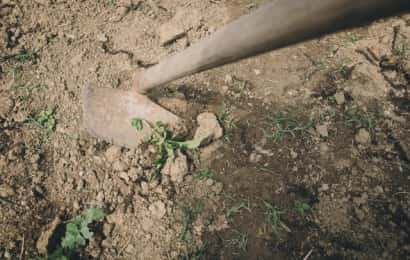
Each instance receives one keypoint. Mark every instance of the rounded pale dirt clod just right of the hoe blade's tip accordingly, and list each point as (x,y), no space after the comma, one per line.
(209,128)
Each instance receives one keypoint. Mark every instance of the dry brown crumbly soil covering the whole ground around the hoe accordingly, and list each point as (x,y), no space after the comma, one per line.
(335,187)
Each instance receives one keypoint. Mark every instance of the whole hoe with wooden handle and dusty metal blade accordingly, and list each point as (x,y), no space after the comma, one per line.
(108,112)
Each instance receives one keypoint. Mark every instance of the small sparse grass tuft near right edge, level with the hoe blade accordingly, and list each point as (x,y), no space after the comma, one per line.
(358,118)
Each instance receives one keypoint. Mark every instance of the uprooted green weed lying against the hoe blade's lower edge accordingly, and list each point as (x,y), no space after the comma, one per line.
(167,144)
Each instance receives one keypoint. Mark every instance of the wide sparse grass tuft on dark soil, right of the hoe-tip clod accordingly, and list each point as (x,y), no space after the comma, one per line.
(286,124)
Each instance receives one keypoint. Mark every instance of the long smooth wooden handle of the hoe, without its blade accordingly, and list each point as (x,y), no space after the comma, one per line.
(274,25)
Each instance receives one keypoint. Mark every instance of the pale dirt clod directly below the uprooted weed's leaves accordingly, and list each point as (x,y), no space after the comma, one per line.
(176,168)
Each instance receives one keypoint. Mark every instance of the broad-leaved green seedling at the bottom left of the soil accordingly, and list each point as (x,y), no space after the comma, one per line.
(77,233)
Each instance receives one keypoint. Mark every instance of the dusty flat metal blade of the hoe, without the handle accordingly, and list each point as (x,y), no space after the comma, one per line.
(108,113)
